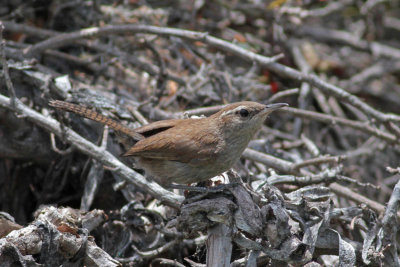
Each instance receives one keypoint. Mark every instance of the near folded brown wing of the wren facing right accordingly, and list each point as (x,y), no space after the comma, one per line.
(178,145)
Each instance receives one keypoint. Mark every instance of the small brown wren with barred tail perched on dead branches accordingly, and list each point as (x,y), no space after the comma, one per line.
(188,150)
